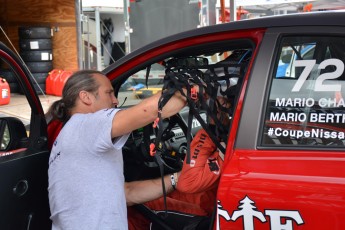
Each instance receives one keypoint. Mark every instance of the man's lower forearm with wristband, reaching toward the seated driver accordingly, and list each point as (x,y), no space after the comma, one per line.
(138,192)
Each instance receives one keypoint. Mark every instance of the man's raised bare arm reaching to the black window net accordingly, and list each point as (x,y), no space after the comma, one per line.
(144,113)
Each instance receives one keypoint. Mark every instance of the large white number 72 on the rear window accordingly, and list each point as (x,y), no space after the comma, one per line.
(319,86)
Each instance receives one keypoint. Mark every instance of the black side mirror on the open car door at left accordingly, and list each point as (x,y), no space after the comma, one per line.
(12,134)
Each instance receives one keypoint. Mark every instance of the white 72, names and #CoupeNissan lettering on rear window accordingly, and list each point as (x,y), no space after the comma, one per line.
(318,113)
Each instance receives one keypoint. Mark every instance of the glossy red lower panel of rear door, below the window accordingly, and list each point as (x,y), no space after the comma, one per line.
(309,183)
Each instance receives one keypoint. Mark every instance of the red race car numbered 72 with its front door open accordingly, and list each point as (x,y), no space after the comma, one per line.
(284,148)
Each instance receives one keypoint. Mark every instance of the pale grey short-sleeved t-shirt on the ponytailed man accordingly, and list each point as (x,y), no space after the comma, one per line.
(86,181)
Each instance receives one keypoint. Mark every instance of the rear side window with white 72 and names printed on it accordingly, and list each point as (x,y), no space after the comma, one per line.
(305,103)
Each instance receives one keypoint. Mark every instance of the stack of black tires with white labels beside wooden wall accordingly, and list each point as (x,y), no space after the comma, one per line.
(36,51)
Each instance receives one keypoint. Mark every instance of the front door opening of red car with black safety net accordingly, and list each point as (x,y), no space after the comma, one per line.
(219,68)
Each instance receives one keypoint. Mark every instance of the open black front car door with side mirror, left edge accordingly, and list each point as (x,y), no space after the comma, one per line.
(23,156)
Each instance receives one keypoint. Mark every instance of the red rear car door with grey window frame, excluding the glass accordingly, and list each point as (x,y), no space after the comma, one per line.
(304,187)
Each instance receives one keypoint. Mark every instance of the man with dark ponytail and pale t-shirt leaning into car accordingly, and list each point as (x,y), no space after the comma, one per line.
(86,181)
